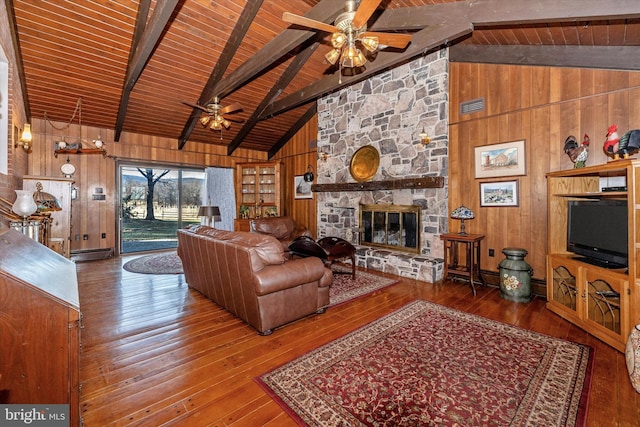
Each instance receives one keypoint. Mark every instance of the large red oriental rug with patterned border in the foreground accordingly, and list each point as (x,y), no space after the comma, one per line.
(426,365)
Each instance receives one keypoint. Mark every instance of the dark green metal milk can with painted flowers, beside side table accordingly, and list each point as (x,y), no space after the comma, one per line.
(515,276)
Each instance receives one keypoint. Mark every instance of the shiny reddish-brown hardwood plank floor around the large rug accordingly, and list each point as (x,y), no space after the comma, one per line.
(156,353)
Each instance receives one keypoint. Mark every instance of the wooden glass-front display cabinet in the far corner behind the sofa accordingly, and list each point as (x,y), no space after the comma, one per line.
(258,192)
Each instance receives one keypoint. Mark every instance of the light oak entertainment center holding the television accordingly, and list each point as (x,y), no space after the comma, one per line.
(603,301)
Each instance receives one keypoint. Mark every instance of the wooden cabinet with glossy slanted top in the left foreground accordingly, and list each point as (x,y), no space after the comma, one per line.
(39,325)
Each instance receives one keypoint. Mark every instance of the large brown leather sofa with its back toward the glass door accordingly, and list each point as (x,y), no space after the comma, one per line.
(250,275)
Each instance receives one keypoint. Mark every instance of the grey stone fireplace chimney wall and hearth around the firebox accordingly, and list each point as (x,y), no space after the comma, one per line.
(388,112)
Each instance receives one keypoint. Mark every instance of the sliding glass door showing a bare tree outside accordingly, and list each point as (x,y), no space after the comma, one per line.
(155,201)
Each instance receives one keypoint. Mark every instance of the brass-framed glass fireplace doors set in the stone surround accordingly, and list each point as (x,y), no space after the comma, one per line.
(391,226)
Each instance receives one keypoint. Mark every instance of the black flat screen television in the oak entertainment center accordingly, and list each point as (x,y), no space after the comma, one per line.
(597,231)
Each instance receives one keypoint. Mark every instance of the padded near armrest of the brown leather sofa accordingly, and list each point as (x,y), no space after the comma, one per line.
(292,273)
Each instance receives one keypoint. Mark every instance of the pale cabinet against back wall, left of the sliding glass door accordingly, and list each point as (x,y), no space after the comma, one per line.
(60,226)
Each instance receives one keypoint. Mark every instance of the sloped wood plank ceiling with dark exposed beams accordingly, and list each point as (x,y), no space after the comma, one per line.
(134,62)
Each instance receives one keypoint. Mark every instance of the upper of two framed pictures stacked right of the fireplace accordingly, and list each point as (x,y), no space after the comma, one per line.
(497,160)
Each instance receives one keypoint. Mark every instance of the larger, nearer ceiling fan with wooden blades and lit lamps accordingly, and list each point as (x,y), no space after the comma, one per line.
(349,27)
